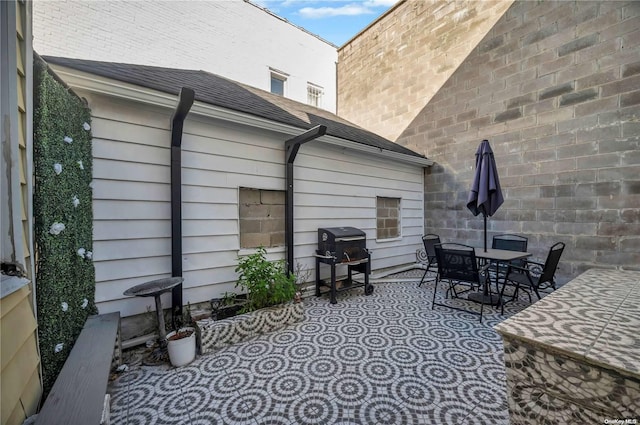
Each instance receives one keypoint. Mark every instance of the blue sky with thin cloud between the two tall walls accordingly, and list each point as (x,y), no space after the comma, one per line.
(336,21)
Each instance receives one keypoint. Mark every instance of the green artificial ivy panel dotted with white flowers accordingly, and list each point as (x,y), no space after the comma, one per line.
(65,276)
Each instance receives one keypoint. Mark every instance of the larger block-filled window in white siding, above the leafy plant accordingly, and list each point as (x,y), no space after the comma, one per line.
(261,218)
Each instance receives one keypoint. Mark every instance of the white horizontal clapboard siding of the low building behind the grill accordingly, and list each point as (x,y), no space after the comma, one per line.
(333,187)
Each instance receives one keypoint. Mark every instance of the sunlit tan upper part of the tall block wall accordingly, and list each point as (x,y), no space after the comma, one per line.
(391,70)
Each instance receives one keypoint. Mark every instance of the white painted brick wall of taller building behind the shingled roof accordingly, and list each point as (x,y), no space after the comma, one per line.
(234,39)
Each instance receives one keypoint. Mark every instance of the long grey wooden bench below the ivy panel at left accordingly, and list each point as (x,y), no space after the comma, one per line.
(78,395)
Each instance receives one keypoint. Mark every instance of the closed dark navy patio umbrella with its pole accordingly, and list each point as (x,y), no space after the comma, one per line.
(486,195)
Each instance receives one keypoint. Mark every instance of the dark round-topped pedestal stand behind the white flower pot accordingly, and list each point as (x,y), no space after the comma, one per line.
(156,288)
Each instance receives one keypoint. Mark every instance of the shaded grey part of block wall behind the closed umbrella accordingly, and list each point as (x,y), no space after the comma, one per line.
(555,88)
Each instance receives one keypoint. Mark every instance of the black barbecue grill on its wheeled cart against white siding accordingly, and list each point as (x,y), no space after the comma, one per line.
(346,246)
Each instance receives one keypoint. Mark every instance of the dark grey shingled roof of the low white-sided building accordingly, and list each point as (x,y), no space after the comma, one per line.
(219,91)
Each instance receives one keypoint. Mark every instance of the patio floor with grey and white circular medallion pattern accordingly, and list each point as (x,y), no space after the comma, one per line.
(387,358)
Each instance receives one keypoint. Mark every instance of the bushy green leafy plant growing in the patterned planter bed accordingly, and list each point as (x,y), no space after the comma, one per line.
(266,282)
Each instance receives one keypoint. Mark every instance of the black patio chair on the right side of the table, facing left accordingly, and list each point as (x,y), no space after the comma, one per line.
(534,276)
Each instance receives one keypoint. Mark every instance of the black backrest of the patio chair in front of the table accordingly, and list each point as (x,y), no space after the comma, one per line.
(457,262)
